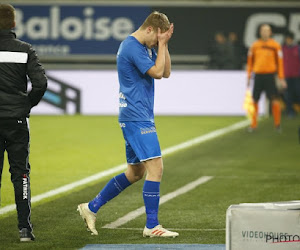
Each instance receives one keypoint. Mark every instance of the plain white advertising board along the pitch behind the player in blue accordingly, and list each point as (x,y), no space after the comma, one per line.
(95,92)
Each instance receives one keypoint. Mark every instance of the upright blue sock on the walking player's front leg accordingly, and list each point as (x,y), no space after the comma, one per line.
(151,200)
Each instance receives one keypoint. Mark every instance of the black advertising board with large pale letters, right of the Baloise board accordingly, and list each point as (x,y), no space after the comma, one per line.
(195,26)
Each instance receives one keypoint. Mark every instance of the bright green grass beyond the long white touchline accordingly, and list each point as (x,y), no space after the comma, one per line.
(65,149)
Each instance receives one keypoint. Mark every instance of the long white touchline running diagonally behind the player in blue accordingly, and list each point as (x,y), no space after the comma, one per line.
(121,167)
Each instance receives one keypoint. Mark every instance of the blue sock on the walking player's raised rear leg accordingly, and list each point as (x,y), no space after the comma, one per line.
(115,186)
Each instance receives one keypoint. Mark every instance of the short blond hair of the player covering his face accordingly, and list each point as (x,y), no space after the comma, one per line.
(156,20)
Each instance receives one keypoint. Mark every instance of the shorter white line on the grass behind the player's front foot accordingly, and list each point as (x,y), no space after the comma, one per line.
(134,214)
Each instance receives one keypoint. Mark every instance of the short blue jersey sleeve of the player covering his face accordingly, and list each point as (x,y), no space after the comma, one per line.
(142,60)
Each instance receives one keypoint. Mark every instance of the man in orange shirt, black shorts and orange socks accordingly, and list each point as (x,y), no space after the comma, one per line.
(264,62)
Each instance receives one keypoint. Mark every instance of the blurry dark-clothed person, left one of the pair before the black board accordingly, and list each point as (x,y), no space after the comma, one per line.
(221,53)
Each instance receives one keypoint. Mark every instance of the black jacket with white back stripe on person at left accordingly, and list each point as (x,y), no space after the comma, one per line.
(17,61)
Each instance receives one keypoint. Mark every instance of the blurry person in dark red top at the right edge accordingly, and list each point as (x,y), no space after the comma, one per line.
(291,63)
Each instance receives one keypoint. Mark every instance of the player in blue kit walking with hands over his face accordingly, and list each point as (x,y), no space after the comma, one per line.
(138,65)
